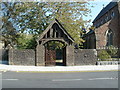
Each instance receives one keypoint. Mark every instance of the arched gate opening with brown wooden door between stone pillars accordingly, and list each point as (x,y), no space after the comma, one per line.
(55,53)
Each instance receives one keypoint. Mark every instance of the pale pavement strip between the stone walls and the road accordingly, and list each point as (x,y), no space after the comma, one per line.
(85,68)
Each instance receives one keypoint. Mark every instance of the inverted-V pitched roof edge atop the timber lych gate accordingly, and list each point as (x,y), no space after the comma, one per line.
(50,26)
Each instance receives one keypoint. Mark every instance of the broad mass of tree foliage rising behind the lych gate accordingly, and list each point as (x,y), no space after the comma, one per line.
(34,17)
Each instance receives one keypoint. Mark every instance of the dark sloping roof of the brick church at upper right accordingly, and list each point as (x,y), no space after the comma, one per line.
(105,10)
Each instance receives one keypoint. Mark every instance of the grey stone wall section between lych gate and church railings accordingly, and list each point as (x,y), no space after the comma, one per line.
(85,57)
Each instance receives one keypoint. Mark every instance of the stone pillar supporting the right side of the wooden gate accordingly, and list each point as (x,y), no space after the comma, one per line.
(69,56)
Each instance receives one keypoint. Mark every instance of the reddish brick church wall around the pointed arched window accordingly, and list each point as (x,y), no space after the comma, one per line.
(112,24)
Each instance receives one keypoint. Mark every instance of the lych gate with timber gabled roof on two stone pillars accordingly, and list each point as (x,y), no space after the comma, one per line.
(46,53)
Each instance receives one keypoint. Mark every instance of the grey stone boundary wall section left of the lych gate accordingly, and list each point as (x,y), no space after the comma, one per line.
(22,57)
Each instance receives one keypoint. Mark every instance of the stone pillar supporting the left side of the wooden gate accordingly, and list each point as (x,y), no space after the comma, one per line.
(40,55)
